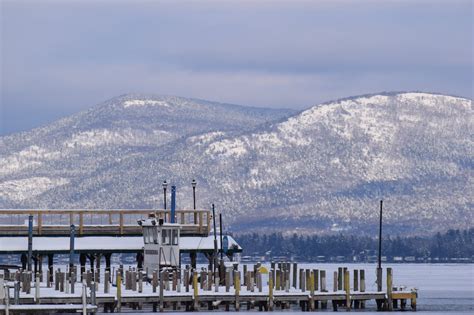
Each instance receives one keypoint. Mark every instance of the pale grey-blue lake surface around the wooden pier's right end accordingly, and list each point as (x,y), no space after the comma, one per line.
(442,288)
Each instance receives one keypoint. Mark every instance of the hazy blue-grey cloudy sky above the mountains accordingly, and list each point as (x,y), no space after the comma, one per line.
(58,57)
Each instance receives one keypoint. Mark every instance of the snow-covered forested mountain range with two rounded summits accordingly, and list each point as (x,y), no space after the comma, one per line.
(321,169)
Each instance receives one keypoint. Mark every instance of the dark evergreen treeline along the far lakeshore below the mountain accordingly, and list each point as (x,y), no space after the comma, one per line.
(452,244)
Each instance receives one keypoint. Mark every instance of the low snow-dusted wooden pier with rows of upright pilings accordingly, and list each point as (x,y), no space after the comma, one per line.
(281,286)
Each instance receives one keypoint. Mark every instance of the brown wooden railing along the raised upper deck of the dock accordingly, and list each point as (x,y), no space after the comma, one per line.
(98,222)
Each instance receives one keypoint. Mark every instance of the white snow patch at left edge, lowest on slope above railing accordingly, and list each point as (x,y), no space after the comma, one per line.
(21,189)
